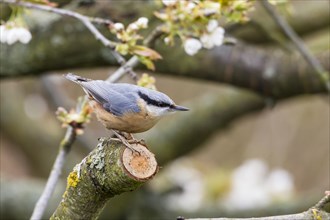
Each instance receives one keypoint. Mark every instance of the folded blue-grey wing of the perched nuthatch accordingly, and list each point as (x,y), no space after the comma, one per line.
(115,98)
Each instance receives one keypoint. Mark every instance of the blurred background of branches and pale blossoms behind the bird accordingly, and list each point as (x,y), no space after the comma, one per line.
(241,151)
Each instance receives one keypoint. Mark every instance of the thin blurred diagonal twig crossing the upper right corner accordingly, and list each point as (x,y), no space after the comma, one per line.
(291,34)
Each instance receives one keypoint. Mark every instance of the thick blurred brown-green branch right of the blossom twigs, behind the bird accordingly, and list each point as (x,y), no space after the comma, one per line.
(270,73)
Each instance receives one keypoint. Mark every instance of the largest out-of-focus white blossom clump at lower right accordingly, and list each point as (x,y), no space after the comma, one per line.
(255,186)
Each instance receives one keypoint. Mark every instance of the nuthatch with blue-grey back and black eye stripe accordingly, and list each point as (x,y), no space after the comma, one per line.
(125,108)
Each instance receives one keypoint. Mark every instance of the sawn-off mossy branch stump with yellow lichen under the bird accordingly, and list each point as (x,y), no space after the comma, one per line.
(109,170)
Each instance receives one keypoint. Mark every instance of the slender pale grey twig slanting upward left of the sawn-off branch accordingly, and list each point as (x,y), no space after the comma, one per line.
(65,147)
